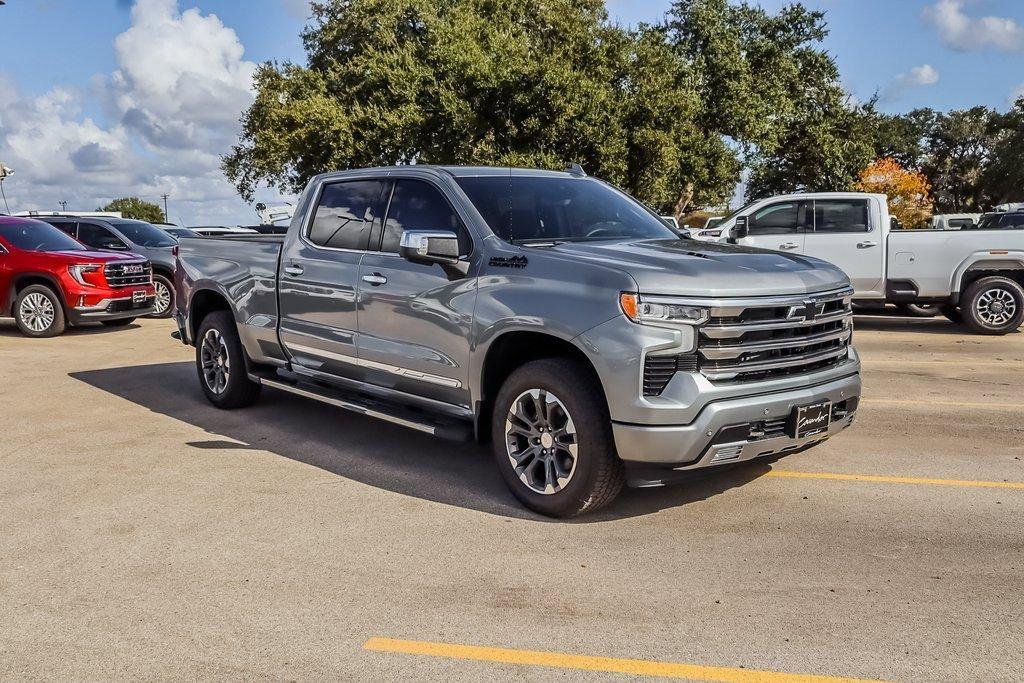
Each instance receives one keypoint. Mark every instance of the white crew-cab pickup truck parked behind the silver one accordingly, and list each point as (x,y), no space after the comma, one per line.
(974,276)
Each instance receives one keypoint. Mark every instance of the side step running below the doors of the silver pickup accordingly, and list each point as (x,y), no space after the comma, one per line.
(429,423)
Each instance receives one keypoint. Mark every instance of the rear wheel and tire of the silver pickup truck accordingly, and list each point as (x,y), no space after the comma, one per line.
(238,391)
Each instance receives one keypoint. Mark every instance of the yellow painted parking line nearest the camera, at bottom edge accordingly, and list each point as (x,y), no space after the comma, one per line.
(587,663)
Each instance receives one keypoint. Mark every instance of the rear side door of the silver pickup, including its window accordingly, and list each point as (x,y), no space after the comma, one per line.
(320,268)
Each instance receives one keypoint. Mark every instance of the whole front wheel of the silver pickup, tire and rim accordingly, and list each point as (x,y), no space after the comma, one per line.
(552,439)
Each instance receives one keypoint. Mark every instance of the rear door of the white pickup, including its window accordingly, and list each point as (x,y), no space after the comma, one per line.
(844,234)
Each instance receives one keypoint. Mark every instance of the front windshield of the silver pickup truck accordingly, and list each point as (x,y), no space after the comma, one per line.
(523,209)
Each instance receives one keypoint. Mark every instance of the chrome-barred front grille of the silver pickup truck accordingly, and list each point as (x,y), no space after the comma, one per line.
(780,337)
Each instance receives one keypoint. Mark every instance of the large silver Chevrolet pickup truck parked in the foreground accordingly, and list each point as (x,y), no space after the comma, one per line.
(547,313)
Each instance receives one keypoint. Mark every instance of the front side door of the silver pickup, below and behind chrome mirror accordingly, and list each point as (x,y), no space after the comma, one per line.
(414,321)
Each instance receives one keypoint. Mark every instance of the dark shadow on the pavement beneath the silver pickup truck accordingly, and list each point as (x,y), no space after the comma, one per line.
(368,451)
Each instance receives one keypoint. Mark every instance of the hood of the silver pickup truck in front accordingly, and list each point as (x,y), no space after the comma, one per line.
(689,268)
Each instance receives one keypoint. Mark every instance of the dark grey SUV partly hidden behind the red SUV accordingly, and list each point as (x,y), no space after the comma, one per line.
(129,236)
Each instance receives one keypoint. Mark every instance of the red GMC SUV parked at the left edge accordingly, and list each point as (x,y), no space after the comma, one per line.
(49,280)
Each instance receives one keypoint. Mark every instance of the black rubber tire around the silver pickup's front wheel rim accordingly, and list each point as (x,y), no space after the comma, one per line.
(599,475)
